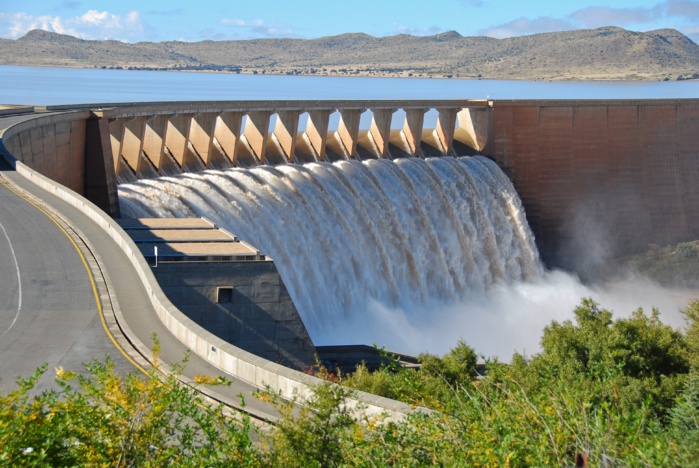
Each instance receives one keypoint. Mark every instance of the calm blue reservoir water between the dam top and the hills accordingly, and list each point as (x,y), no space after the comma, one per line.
(50,86)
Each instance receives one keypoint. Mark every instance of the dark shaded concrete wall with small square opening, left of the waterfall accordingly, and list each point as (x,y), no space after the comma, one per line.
(260,317)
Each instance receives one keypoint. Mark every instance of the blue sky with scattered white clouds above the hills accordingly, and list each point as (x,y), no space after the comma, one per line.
(162,20)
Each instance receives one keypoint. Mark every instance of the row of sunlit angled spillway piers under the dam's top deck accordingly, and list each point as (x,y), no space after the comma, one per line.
(165,140)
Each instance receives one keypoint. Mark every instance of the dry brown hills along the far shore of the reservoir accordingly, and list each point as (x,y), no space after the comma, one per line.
(607,53)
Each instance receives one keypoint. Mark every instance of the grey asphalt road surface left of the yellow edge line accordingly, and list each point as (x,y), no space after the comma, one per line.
(48,310)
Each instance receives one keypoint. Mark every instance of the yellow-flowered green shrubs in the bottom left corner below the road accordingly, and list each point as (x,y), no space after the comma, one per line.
(103,419)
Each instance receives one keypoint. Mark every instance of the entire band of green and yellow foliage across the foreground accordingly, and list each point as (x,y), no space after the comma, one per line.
(624,392)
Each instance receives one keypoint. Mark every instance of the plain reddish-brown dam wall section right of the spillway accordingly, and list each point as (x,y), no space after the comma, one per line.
(601,179)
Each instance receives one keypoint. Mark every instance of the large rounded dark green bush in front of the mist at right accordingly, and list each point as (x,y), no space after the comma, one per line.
(639,358)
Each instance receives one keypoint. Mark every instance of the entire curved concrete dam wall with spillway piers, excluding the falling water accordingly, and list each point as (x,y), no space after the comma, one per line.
(598,179)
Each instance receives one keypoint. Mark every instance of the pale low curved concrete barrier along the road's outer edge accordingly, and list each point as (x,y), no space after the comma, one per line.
(232,360)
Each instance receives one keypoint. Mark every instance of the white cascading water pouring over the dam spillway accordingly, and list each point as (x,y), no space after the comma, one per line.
(354,239)
